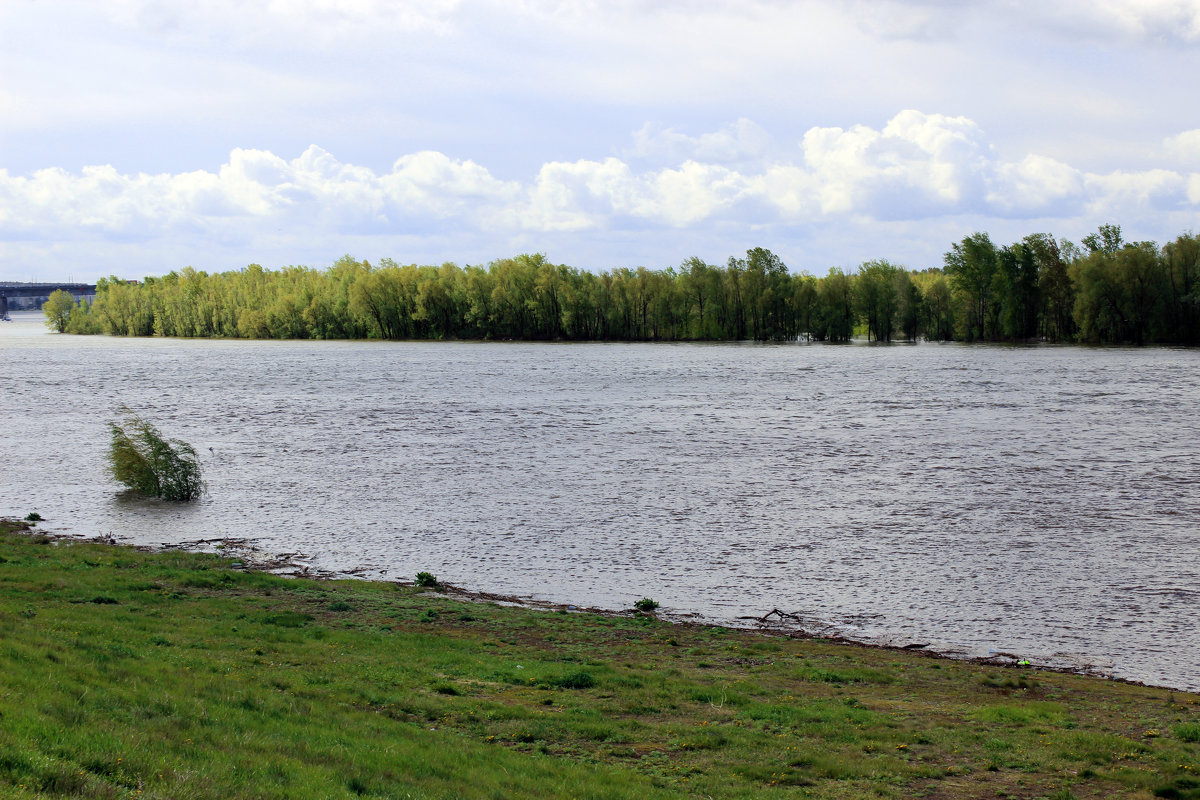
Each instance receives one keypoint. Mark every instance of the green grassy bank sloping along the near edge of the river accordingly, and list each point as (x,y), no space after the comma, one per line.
(135,675)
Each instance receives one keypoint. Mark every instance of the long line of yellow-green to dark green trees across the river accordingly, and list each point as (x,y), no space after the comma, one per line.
(1040,288)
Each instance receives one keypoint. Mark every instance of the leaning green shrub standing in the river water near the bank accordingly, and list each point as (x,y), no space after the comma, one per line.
(151,465)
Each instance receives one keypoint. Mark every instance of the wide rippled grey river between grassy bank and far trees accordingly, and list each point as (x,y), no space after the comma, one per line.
(1042,502)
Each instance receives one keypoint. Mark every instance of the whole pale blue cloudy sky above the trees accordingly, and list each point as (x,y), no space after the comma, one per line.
(139,137)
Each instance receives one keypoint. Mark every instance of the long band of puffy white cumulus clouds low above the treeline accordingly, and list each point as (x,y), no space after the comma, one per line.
(916,170)
